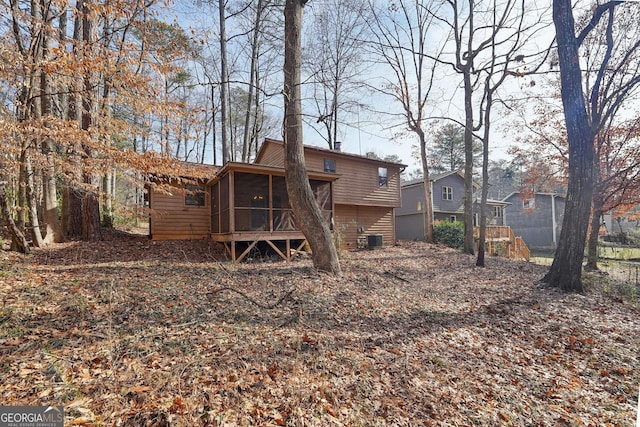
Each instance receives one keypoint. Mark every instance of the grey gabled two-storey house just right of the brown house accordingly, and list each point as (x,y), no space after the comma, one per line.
(447,193)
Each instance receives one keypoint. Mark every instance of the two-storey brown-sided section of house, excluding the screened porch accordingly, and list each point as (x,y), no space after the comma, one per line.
(365,195)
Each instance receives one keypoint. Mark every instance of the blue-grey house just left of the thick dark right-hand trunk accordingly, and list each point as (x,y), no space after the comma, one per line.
(537,218)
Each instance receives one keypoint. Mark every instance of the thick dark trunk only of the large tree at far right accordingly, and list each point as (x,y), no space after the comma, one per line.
(566,269)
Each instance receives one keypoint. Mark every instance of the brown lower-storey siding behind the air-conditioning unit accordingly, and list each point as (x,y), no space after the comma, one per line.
(374,220)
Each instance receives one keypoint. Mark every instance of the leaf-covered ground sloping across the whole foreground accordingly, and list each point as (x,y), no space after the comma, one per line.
(130,332)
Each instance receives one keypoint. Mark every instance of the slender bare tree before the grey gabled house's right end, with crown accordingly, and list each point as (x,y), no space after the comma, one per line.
(486,38)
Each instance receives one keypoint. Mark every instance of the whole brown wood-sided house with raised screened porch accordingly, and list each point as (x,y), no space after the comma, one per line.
(245,205)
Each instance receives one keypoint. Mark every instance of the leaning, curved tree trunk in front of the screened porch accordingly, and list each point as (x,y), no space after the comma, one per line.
(306,210)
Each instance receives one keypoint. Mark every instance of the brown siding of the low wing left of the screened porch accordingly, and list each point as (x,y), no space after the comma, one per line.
(172,219)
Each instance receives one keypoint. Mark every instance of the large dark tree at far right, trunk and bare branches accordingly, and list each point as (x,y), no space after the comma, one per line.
(585,117)
